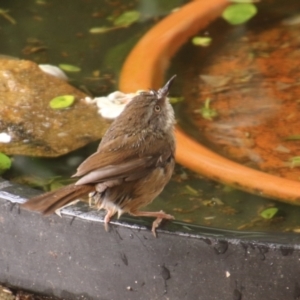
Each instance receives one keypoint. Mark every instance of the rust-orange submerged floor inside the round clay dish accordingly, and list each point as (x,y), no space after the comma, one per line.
(255,92)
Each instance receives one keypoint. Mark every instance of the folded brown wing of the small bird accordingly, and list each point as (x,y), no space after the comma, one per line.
(120,159)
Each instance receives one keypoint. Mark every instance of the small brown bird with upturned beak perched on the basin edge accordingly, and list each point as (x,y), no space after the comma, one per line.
(133,163)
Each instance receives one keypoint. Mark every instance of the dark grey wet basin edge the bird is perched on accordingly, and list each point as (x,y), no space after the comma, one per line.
(39,254)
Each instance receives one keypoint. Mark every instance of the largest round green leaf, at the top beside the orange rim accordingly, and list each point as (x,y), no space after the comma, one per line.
(239,13)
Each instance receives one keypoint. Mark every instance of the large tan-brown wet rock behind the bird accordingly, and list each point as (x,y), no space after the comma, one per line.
(34,127)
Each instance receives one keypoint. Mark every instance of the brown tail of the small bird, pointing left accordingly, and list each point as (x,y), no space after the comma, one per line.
(49,202)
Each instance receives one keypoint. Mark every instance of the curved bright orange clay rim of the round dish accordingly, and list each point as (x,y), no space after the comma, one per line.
(144,68)
